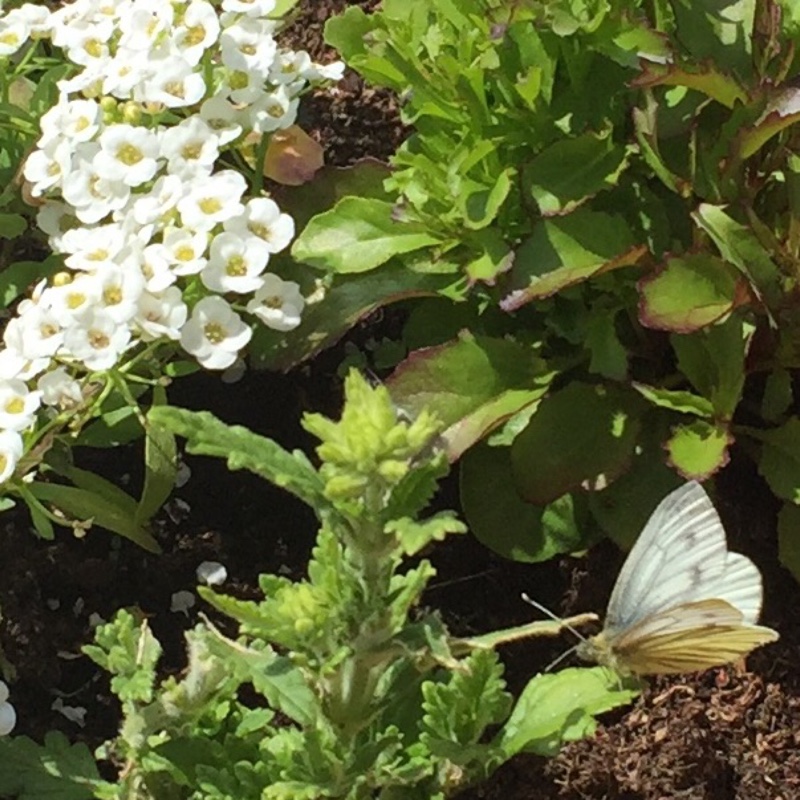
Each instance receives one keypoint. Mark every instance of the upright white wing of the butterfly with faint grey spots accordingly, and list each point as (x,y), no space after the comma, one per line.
(681,557)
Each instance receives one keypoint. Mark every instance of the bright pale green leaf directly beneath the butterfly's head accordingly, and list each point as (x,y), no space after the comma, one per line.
(561,707)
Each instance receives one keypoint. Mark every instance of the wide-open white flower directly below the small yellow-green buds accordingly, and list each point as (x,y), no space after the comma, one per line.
(128,153)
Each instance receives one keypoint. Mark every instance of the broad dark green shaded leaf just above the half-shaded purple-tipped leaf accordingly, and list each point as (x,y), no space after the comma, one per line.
(570,171)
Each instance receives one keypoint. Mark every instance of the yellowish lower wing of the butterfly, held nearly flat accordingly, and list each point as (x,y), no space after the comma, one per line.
(688,638)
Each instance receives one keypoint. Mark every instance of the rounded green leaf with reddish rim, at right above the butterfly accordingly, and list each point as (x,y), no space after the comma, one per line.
(688,293)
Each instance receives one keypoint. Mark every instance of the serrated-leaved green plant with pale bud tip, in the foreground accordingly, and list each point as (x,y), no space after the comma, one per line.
(352,690)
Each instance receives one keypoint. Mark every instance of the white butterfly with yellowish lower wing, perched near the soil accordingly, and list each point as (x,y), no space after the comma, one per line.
(682,602)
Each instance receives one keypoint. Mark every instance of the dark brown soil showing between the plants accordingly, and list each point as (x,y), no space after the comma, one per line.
(726,734)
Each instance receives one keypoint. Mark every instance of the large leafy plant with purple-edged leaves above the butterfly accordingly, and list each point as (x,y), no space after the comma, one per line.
(601,196)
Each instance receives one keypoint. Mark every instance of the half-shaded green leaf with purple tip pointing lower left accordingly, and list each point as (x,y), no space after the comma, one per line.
(563,251)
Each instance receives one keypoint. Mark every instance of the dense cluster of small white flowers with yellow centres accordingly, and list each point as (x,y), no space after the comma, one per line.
(159,244)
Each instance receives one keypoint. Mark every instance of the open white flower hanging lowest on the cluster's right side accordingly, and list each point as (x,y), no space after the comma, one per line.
(215,333)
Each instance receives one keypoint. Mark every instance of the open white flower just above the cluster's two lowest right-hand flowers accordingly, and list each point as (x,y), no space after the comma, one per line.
(235,264)
